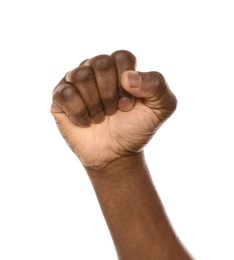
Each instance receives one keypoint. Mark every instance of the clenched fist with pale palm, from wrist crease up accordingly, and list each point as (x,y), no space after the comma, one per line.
(106,110)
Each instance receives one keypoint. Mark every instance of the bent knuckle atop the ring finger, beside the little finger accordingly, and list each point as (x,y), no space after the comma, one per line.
(80,74)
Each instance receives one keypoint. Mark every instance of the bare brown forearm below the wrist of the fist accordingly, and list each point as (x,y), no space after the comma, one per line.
(133,211)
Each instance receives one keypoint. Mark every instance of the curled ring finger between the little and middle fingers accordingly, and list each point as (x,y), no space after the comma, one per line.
(83,78)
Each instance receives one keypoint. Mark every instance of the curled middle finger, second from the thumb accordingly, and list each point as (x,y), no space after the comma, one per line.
(106,76)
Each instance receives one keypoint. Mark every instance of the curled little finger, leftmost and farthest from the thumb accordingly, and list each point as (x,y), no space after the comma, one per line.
(67,99)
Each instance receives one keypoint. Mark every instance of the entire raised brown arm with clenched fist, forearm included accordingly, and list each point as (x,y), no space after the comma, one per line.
(107,113)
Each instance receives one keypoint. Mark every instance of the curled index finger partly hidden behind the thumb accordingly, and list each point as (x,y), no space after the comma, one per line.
(124,60)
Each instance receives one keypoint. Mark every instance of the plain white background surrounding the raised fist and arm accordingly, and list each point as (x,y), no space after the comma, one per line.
(48,209)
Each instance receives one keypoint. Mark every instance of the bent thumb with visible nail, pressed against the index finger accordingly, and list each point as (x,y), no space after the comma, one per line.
(152,88)
